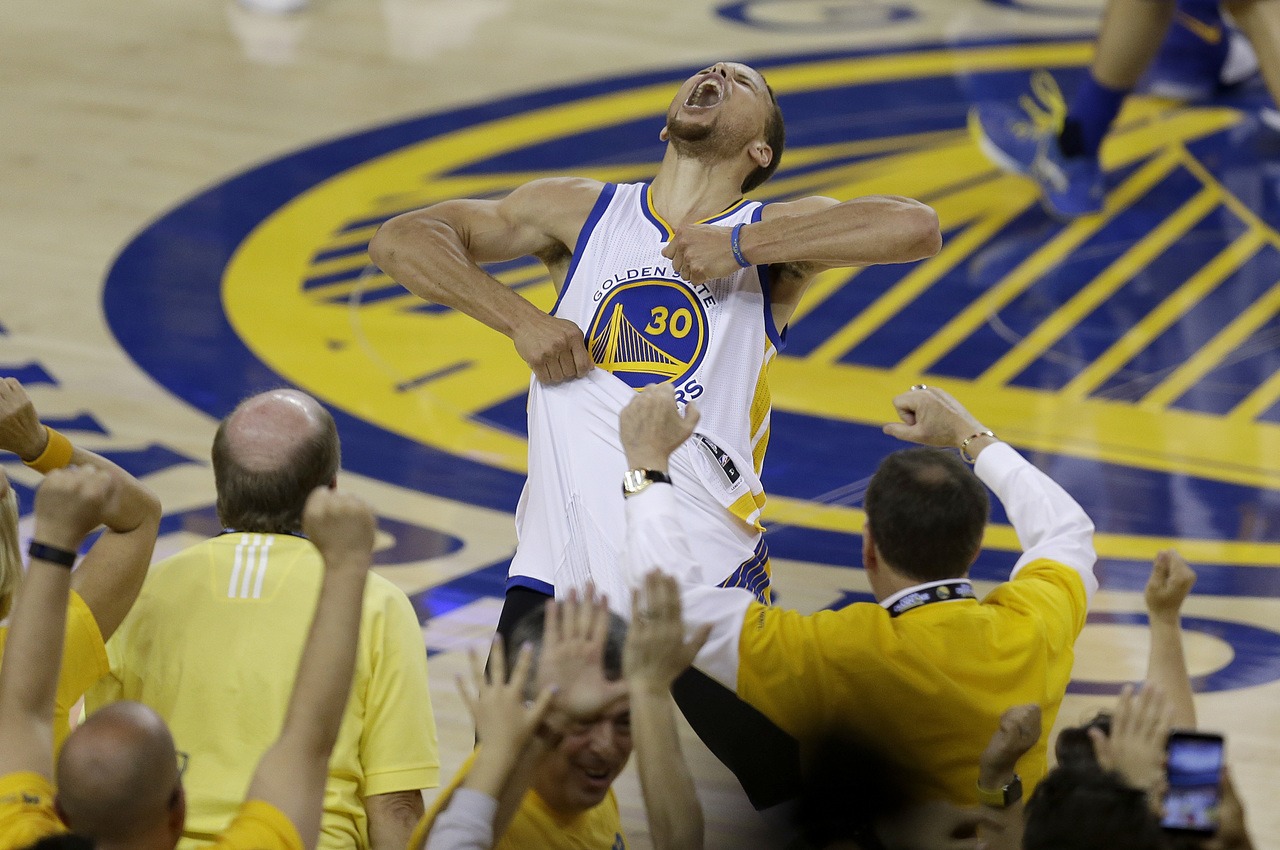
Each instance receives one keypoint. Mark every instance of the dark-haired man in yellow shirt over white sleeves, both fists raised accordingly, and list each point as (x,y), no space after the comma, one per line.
(931,668)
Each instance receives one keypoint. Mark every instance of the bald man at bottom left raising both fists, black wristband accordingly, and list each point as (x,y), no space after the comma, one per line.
(120,776)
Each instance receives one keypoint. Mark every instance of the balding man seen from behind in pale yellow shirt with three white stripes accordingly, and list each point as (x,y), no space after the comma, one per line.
(217,633)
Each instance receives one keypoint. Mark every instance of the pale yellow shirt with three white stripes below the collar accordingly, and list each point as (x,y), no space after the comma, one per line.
(213,645)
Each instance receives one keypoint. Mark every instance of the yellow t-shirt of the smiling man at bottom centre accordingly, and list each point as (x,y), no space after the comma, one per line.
(536,826)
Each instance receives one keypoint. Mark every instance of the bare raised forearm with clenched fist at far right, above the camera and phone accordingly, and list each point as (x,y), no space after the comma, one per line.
(1172,579)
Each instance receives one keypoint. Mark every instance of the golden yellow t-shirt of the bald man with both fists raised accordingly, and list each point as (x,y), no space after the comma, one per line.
(28,816)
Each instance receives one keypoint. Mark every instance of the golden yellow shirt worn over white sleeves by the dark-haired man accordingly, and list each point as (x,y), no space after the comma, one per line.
(934,680)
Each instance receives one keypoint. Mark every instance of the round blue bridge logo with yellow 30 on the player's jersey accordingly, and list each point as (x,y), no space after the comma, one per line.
(650,331)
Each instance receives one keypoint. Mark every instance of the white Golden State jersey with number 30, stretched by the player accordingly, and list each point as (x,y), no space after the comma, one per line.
(646,326)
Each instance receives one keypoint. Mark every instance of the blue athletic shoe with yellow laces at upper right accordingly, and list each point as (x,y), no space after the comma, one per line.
(1025,141)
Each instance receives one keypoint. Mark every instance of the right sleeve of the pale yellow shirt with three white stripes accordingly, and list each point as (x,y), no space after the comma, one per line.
(399,750)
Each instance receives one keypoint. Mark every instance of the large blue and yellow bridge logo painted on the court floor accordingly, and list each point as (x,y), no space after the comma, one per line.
(1150,330)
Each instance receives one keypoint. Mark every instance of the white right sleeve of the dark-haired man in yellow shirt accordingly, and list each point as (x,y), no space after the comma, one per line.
(1050,524)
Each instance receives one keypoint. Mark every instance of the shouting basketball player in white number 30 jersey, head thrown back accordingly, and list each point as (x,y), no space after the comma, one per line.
(682,281)
